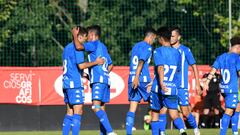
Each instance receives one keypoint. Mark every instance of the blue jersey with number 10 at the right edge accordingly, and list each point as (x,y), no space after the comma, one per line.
(229,65)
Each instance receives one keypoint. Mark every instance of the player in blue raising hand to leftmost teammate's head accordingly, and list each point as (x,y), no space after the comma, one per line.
(99,74)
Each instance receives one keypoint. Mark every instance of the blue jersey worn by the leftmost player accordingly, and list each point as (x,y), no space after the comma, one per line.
(71,73)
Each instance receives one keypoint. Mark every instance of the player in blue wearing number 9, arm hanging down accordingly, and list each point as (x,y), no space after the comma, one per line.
(139,76)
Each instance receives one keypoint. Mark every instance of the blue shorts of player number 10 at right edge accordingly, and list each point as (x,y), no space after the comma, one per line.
(231,100)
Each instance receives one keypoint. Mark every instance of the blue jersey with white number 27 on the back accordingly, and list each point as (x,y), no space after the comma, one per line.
(170,58)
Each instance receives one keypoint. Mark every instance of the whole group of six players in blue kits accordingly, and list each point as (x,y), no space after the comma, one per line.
(165,92)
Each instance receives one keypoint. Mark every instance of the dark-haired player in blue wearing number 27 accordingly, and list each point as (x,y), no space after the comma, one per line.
(164,91)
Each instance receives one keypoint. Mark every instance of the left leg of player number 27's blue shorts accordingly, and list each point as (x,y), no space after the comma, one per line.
(155,101)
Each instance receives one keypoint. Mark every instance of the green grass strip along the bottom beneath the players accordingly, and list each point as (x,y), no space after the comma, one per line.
(120,132)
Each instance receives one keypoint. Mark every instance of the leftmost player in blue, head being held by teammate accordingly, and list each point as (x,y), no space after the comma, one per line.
(73,65)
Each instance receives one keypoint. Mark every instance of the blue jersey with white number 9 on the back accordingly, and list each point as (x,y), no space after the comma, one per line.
(141,51)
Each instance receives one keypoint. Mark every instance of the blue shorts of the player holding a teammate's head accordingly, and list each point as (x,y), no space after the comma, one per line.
(101,92)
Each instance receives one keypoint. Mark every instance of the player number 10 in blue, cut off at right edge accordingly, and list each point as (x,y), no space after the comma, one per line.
(229,66)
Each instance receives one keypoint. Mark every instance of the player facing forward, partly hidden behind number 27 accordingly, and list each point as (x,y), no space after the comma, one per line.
(187,59)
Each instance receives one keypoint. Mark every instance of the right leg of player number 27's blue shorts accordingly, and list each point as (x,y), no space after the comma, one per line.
(170,101)
